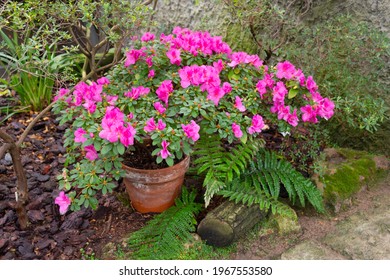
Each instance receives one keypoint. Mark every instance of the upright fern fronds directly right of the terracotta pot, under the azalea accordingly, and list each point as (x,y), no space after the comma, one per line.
(220,166)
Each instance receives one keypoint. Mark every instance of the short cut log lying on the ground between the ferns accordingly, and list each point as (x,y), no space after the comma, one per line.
(228,222)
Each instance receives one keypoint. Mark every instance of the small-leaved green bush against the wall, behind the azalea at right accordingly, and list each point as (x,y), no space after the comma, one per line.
(349,57)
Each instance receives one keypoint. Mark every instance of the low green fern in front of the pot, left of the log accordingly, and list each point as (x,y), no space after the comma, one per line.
(165,235)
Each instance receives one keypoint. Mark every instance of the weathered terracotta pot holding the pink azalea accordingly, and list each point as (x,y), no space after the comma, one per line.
(155,190)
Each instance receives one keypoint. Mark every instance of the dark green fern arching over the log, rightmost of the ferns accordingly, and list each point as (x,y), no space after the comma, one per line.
(261,184)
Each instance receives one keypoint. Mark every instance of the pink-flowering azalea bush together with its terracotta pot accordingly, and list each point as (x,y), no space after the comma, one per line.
(156,103)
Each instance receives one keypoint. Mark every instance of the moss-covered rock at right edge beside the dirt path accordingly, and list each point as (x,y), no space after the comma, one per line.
(346,172)
